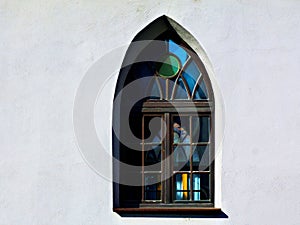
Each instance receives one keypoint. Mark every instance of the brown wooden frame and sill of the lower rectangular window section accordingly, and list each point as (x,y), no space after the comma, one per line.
(165,206)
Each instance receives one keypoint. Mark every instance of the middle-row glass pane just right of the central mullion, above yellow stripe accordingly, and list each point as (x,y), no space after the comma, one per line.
(181,158)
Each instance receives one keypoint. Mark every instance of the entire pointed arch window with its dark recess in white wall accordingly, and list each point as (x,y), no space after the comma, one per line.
(171,160)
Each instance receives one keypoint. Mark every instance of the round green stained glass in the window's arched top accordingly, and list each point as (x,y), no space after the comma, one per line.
(169,67)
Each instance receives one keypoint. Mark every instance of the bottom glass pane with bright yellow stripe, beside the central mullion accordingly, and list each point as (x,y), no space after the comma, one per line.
(182,186)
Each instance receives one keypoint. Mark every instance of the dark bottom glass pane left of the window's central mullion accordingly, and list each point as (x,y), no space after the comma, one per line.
(152,187)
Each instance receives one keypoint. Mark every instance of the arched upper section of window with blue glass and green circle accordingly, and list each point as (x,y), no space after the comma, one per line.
(177,69)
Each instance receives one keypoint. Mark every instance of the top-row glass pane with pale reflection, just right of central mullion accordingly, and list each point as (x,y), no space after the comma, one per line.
(181,126)
